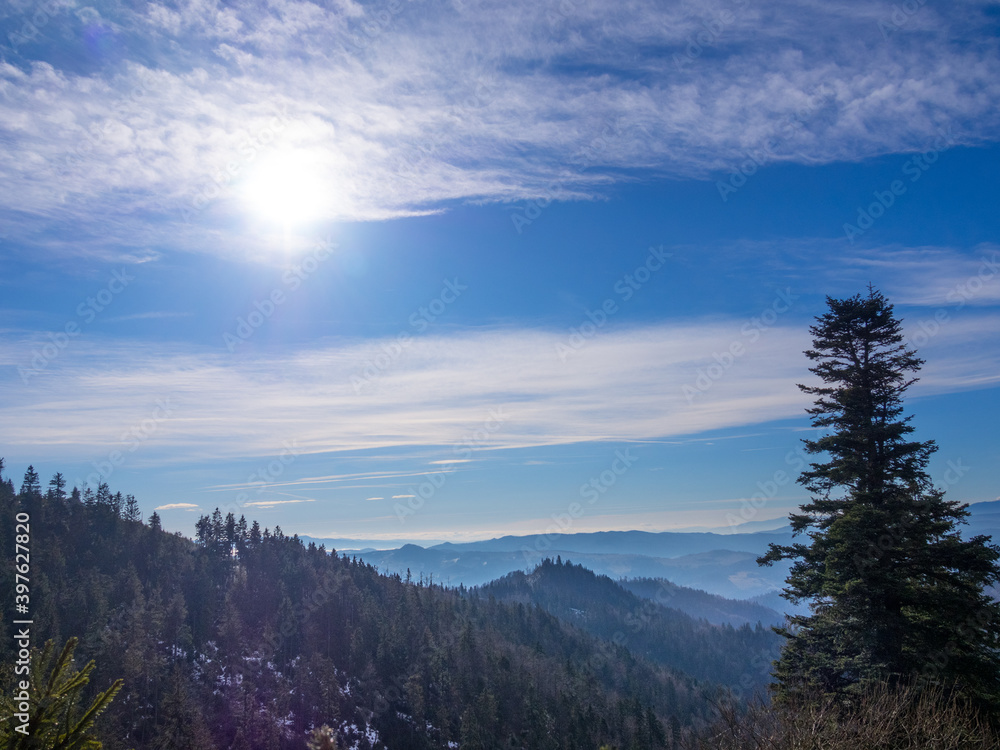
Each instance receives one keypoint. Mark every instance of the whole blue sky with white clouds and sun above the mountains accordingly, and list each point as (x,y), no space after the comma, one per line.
(418,270)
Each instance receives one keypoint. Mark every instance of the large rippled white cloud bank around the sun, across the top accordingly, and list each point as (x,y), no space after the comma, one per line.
(557,100)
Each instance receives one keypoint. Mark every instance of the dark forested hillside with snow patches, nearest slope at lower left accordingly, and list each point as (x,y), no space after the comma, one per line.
(247,638)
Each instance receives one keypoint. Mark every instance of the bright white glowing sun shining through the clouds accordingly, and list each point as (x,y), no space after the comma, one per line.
(287,188)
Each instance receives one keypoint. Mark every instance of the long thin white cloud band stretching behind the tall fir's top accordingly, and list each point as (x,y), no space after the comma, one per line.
(473,391)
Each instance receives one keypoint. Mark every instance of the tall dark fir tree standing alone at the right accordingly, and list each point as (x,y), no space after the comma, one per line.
(896,594)
